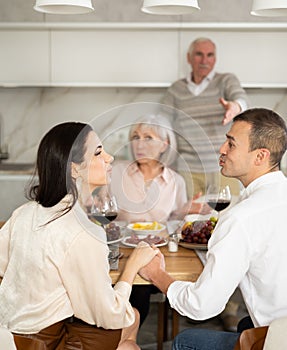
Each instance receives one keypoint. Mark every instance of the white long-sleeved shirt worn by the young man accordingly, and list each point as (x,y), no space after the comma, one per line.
(247,248)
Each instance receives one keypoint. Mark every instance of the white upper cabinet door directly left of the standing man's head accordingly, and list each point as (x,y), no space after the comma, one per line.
(114,56)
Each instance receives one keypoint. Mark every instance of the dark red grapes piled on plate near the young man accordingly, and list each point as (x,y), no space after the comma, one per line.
(198,231)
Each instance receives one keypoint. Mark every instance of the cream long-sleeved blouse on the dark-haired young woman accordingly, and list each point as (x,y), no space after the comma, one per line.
(56,270)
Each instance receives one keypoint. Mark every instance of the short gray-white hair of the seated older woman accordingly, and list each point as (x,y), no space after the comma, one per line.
(161,126)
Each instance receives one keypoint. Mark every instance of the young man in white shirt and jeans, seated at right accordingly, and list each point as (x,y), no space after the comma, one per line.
(248,246)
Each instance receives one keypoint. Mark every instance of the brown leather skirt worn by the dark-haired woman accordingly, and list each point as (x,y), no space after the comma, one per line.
(70,334)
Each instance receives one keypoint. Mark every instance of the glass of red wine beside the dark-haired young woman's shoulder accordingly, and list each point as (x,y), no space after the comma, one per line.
(104,209)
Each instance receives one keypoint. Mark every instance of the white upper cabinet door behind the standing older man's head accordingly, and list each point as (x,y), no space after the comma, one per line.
(257,57)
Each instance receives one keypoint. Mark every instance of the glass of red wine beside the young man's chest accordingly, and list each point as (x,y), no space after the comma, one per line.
(218,198)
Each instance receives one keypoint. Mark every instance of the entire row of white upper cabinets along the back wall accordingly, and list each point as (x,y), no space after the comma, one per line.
(137,54)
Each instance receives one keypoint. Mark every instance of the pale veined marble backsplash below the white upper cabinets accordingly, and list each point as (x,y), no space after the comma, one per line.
(28,113)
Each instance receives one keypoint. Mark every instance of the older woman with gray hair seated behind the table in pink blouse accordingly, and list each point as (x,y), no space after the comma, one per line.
(147,189)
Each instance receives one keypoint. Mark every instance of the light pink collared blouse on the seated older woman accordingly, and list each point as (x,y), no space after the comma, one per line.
(157,200)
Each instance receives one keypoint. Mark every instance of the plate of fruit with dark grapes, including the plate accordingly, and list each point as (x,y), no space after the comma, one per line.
(195,234)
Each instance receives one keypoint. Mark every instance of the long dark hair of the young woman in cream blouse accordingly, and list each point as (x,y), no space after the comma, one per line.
(63,144)
